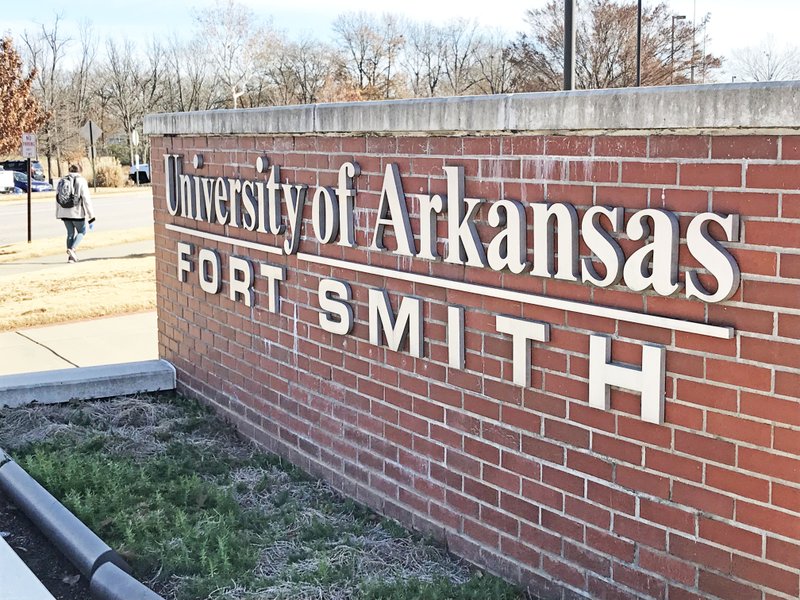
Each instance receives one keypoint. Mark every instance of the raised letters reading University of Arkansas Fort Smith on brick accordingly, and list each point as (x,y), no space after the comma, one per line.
(266,206)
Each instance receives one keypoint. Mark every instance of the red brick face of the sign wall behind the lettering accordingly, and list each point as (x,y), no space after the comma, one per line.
(532,483)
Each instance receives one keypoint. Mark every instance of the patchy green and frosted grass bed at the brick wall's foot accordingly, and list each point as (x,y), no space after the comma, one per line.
(200,513)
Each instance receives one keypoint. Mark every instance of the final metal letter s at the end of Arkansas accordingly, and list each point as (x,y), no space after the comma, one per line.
(713,257)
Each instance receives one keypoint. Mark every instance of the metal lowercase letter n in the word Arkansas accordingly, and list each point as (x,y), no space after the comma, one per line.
(566,219)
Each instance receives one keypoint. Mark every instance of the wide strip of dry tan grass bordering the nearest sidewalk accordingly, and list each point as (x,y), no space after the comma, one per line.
(72,292)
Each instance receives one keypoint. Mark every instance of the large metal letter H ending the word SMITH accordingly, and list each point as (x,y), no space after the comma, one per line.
(649,381)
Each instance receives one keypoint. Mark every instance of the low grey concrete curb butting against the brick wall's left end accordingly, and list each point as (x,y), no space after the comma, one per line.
(87,383)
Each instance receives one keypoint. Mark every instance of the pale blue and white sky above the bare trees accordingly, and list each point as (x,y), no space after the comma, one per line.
(734,23)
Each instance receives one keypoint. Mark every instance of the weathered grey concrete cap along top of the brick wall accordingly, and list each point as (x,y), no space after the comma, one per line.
(762,105)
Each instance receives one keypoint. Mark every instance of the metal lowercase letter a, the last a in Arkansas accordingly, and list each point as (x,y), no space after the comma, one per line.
(662,274)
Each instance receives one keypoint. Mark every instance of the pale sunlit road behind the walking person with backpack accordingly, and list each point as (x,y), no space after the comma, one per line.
(116,210)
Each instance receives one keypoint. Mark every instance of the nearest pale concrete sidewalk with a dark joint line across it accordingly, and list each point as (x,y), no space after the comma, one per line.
(110,340)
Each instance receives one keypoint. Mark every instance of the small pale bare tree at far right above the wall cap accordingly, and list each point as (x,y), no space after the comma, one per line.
(766,62)
